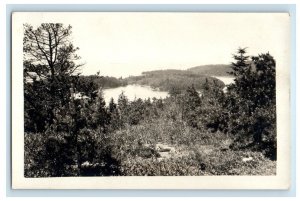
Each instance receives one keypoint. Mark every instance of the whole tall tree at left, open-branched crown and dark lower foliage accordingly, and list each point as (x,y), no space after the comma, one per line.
(50,56)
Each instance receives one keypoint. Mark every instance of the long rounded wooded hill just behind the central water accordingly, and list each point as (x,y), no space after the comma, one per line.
(167,80)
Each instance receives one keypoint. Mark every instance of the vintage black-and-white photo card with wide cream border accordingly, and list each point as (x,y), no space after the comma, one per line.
(150,100)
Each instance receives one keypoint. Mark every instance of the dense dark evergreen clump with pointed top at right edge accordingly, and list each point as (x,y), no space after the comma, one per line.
(251,100)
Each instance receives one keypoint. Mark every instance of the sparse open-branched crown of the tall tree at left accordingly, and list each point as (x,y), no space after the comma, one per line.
(49,51)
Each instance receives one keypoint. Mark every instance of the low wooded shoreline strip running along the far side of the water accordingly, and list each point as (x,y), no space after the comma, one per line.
(164,80)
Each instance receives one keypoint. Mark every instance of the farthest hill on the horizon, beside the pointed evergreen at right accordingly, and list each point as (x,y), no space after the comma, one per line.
(212,70)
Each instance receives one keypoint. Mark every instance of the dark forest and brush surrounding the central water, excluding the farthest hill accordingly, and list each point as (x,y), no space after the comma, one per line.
(185,134)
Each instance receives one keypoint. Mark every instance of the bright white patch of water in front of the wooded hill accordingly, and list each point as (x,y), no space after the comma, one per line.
(133,92)
